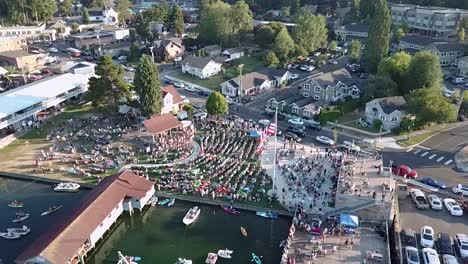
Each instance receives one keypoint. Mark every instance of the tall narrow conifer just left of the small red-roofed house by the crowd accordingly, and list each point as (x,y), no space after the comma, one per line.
(148,87)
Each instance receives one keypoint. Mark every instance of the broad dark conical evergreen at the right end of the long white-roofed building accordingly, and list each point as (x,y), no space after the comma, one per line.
(109,87)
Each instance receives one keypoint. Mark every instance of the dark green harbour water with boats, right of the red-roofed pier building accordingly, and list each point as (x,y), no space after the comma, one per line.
(159,236)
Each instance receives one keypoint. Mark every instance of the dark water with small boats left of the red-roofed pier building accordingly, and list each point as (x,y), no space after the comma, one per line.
(37,199)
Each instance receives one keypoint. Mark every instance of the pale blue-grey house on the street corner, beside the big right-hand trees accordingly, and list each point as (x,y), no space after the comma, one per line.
(389,110)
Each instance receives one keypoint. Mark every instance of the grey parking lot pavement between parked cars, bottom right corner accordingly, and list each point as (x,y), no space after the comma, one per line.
(441,221)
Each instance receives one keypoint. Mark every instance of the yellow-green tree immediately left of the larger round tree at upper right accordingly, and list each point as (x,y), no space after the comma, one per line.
(395,67)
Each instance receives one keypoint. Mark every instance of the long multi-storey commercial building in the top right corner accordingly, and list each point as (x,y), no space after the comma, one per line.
(428,20)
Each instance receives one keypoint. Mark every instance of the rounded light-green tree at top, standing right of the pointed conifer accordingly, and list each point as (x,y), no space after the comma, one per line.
(310,32)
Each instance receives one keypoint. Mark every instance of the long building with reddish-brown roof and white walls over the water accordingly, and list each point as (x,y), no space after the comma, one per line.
(69,240)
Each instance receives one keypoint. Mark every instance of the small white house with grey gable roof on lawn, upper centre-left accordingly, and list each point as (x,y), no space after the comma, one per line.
(200,67)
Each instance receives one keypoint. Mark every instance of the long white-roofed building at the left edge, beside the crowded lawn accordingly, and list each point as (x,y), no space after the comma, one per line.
(19,107)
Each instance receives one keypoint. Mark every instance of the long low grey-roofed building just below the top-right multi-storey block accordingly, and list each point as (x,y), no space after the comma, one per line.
(447,51)
